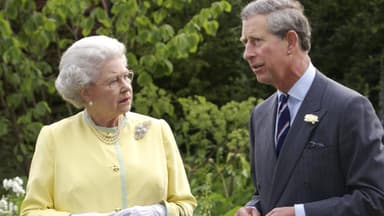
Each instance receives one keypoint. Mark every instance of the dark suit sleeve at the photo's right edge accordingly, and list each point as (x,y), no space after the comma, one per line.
(361,155)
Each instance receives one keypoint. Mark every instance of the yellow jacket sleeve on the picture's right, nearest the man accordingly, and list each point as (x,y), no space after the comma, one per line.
(180,200)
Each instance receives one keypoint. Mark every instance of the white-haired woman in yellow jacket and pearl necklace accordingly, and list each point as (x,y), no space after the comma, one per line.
(104,160)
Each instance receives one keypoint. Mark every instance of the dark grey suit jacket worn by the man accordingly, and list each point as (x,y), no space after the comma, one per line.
(334,166)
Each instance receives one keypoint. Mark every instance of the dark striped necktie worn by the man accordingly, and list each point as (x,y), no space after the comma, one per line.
(283,122)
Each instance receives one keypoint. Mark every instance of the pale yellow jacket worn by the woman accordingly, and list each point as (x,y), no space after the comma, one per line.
(73,172)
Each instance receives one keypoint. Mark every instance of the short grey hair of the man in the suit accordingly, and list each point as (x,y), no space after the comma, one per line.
(282,16)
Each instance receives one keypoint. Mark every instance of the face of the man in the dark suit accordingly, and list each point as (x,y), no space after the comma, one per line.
(265,52)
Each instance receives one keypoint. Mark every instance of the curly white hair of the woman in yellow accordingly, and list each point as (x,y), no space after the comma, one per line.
(81,63)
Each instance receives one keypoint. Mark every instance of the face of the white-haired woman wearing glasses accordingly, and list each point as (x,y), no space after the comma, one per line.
(111,93)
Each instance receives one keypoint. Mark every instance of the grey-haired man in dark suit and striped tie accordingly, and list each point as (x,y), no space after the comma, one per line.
(319,150)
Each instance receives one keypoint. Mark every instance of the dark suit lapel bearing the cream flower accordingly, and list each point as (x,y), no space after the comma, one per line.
(297,137)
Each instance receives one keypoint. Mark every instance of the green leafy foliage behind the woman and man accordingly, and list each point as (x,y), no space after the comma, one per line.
(187,56)
